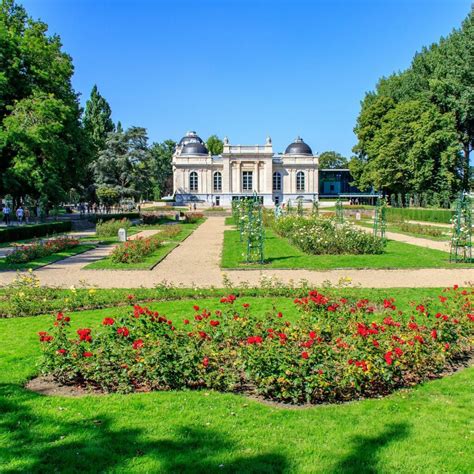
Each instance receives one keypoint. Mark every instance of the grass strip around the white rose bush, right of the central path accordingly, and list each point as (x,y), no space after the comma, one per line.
(279,253)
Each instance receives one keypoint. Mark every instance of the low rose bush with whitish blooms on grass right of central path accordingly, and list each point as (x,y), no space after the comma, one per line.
(321,236)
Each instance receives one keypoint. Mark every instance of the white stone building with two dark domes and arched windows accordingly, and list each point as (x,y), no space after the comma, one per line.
(243,170)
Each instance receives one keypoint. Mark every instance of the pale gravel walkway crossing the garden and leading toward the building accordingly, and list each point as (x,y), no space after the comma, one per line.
(196,262)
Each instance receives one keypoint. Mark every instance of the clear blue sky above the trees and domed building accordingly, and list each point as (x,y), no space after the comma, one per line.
(243,68)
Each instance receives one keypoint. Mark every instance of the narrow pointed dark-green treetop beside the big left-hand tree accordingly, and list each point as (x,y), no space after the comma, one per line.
(97,120)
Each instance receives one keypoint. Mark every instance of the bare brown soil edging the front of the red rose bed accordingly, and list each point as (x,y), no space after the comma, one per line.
(46,385)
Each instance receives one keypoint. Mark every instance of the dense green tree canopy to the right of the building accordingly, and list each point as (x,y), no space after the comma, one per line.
(415,132)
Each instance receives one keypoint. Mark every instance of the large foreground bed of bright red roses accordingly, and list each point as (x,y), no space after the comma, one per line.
(337,350)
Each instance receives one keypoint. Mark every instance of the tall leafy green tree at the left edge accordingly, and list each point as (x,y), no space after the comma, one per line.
(43,148)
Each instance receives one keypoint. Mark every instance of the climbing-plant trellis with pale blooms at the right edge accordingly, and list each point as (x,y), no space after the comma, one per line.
(461,239)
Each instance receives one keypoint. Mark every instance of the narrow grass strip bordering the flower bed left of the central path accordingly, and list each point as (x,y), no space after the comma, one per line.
(151,260)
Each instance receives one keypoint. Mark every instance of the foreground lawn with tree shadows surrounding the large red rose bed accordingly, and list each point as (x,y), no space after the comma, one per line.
(425,429)
